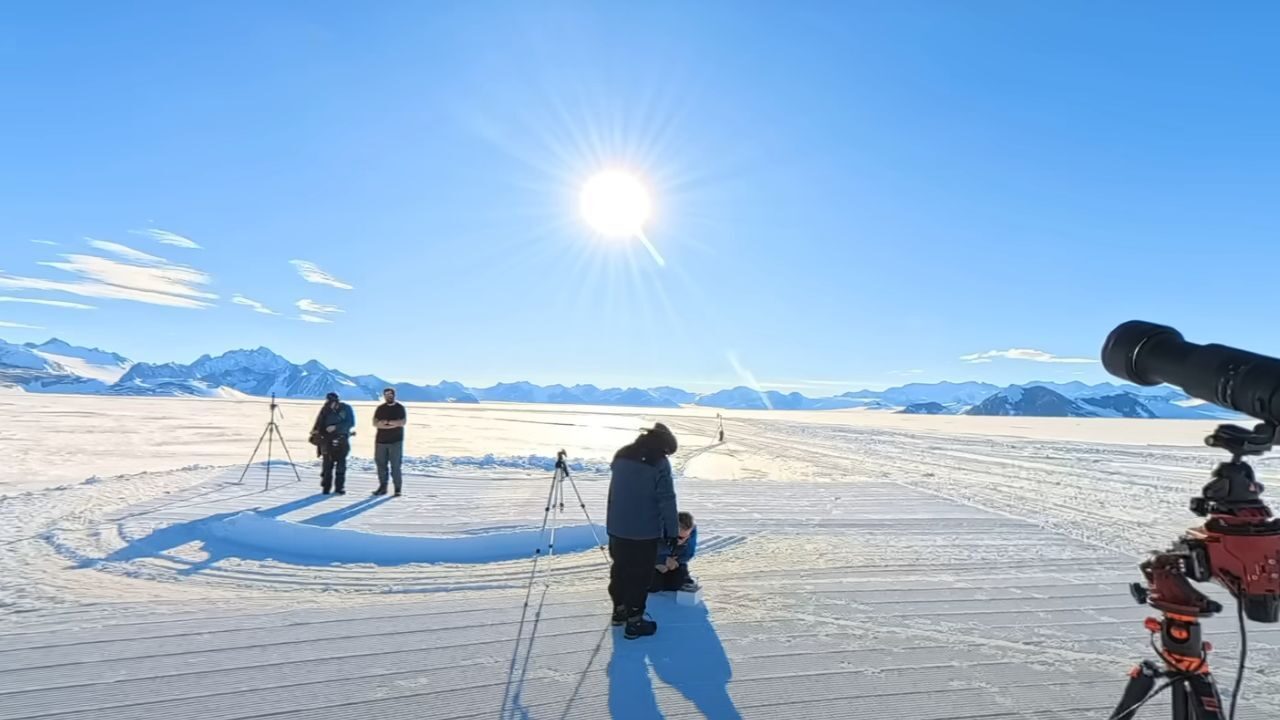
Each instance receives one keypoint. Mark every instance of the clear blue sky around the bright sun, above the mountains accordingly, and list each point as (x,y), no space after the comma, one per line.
(847,195)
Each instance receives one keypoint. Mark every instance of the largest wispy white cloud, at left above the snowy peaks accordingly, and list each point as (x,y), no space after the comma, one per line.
(156,282)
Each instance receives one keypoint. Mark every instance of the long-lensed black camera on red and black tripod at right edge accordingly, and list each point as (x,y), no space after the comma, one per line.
(1240,544)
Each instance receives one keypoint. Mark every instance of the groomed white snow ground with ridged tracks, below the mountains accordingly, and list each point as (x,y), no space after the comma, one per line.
(853,567)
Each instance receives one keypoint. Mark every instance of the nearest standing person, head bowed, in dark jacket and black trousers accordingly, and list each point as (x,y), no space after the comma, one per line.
(642,513)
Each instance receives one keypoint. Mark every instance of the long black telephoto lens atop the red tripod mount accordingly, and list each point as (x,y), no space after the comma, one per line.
(1149,354)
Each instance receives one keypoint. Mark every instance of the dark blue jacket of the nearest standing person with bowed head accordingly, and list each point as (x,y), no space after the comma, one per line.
(642,499)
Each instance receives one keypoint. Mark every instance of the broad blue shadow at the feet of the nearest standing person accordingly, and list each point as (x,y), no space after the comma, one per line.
(687,654)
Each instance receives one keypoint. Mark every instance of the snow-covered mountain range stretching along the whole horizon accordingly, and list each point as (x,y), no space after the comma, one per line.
(60,367)
